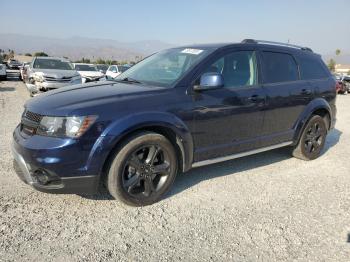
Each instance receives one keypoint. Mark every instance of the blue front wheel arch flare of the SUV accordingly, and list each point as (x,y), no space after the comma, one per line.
(117,130)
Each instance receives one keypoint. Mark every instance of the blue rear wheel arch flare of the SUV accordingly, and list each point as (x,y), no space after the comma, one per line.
(316,104)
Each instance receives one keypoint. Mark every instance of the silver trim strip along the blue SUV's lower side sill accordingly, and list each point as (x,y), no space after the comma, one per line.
(238,155)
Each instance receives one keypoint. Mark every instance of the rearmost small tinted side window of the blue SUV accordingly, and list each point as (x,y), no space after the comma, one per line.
(311,69)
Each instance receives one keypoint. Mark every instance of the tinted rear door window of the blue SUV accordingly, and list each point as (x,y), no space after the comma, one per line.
(279,67)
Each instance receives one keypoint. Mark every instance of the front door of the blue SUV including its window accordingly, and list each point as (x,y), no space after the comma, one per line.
(228,120)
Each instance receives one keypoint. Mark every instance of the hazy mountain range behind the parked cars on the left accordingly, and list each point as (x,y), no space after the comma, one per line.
(78,47)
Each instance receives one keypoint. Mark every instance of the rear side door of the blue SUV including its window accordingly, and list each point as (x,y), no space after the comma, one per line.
(286,96)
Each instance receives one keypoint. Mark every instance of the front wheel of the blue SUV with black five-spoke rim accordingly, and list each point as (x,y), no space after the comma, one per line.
(143,170)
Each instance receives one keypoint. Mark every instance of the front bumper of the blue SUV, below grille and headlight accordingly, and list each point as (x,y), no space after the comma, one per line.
(67,177)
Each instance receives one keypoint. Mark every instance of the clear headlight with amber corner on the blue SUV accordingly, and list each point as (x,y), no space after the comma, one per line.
(73,126)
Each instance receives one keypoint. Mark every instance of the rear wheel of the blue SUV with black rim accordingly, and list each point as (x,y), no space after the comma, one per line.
(312,140)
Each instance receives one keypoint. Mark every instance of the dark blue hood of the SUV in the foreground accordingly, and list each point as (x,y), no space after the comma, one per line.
(86,98)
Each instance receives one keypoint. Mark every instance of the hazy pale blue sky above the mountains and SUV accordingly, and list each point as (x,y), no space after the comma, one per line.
(323,25)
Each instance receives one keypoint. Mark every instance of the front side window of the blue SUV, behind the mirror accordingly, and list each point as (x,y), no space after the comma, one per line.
(238,68)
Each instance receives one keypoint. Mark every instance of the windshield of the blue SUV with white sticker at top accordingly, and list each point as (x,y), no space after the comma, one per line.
(164,68)
